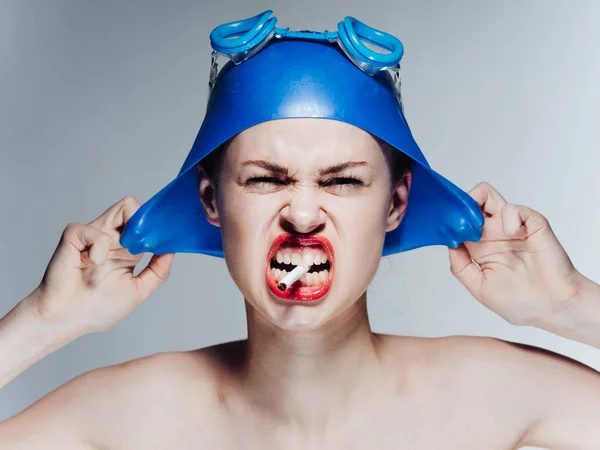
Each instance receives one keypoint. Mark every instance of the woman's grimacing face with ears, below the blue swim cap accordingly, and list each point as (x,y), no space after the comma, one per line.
(284,181)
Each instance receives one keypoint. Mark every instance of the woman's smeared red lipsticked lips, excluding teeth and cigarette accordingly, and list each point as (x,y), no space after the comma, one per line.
(297,292)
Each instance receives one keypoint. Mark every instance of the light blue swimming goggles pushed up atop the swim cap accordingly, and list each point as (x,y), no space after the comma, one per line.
(242,39)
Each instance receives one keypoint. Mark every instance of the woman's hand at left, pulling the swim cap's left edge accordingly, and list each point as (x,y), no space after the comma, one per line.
(89,283)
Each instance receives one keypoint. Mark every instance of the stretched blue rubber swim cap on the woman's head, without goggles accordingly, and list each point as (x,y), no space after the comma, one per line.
(302,79)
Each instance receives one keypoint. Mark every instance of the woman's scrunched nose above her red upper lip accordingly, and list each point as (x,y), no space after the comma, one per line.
(303,213)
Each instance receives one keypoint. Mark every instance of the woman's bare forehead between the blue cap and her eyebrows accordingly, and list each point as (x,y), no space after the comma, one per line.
(301,141)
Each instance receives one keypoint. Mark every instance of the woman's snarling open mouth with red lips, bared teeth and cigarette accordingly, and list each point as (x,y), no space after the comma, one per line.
(288,254)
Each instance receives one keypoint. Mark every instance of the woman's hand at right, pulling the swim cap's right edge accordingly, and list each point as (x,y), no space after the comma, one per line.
(522,272)
